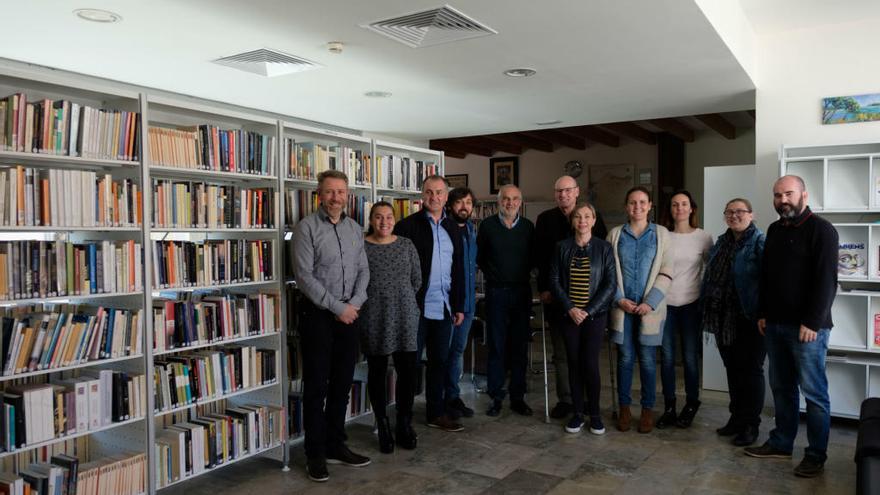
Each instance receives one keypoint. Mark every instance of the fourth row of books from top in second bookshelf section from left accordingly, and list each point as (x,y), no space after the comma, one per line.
(213,319)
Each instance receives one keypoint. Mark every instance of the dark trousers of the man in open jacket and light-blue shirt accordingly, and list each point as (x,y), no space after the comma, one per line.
(434,336)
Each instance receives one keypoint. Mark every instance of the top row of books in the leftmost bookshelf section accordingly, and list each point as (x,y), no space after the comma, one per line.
(62,127)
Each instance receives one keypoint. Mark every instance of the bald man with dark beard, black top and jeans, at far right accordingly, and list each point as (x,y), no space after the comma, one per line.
(797,288)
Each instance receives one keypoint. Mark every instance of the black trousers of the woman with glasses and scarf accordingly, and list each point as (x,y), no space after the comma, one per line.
(744,363)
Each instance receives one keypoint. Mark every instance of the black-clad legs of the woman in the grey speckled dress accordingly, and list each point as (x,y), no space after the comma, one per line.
(404,388)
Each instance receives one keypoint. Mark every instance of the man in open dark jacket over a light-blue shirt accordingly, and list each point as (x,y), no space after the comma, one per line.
(438,241)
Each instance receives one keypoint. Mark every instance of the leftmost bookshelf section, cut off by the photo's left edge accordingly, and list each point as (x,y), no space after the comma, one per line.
(74,298)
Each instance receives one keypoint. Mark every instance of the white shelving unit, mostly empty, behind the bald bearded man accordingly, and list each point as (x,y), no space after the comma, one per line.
(844,186)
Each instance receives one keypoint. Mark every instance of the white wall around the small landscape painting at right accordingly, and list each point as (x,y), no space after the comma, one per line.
(796,69)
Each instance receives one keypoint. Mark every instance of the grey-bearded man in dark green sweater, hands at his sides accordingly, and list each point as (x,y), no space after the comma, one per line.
(505,247)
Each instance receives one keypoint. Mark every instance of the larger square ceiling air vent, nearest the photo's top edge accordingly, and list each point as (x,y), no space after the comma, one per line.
(430,27)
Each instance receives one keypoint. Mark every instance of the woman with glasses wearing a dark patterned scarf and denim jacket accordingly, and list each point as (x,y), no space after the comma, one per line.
(730,300)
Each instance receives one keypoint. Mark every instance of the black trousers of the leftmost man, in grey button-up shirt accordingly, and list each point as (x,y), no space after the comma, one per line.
(329,352)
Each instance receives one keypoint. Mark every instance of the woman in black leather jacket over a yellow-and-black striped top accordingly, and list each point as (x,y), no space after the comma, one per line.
(583,281)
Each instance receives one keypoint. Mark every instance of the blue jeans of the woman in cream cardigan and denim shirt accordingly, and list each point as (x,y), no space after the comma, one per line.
(626,356)
